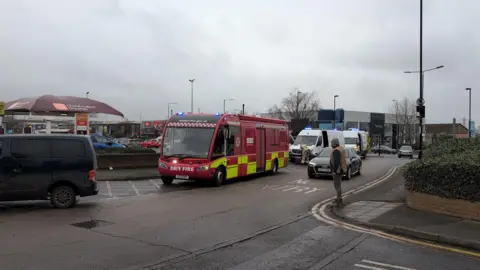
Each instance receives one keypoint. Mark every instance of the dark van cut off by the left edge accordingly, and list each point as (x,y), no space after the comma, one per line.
(47,167)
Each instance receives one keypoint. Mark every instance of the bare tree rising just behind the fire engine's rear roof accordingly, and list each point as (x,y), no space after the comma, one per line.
(297,105)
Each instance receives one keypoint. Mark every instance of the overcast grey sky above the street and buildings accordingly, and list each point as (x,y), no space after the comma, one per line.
(137,55)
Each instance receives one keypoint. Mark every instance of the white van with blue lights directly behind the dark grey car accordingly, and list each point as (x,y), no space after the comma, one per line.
(315,139)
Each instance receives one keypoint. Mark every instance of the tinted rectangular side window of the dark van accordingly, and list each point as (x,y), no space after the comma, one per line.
(30,148)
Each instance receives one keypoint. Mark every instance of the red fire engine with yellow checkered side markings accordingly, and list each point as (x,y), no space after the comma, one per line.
(218,147)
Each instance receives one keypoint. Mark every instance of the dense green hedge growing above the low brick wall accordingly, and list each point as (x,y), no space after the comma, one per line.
(449,168)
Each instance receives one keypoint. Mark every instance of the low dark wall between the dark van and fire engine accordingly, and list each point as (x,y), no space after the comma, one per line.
(127,161)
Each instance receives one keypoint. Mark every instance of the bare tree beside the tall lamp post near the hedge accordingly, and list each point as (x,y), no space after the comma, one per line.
(404,114)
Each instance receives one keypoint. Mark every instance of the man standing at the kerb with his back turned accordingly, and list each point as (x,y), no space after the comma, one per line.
(338,165)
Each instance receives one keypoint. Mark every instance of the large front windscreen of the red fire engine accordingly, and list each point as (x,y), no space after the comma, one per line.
(187,141)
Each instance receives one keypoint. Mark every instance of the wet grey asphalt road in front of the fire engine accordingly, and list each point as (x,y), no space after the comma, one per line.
(262,222)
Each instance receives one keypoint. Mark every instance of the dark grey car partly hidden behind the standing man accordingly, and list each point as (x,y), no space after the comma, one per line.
(320,165)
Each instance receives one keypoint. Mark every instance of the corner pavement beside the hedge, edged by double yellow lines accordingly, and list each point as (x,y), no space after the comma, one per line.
(383,207)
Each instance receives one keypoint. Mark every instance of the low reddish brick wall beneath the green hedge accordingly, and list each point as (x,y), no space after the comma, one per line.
(453,207)
